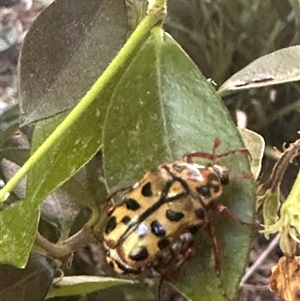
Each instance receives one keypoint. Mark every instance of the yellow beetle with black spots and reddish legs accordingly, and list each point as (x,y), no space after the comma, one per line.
(154,224)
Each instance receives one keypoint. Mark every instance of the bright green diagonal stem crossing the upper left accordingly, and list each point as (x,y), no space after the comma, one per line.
(155,15)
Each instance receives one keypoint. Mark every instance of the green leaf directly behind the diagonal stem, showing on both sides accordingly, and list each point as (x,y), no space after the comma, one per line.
(76,146)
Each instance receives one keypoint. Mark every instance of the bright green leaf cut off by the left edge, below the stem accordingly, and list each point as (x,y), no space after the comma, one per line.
(15,243)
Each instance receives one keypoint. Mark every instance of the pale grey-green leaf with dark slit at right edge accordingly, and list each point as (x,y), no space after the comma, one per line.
(277,67)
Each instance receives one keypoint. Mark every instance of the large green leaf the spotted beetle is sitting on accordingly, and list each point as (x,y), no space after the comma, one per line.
(162,108)
